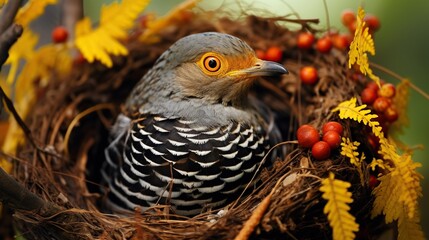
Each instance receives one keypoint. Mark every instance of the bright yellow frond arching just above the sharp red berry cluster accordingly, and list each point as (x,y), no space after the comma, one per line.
(349,109)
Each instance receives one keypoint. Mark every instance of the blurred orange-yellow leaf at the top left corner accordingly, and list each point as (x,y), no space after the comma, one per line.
(32,10)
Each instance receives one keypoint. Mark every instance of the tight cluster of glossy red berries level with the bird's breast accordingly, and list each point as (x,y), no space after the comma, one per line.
(309,137)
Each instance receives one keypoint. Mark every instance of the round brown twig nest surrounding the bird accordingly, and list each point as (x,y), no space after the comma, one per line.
(64,173)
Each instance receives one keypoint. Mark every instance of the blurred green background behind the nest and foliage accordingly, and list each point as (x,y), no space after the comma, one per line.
(401,45)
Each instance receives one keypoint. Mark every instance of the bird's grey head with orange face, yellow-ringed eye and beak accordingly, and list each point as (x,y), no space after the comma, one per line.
(212,67)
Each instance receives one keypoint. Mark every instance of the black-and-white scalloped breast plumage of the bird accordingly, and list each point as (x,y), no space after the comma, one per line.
(175,162)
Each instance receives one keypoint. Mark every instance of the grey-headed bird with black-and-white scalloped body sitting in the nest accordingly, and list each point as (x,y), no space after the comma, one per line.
(189,137)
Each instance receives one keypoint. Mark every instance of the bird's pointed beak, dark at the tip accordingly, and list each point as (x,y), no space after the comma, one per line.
(264,68)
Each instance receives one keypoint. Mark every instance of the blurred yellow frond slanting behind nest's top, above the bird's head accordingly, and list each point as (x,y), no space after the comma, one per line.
(157,25)
